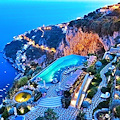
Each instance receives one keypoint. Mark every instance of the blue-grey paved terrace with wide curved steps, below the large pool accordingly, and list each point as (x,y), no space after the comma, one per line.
(64,114)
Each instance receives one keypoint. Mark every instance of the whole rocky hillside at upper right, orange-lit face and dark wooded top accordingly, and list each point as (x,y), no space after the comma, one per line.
(95,32)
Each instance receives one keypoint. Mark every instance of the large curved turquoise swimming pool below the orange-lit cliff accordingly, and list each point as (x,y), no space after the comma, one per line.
(48,74)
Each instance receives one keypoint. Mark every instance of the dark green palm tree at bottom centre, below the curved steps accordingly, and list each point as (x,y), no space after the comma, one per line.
(50,115)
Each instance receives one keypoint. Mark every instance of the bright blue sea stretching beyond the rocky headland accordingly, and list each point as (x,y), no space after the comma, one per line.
(18,17)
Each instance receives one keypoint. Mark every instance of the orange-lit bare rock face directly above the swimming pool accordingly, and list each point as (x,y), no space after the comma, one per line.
(82,43)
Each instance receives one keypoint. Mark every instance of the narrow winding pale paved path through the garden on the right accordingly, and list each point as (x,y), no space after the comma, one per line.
(97,99)
